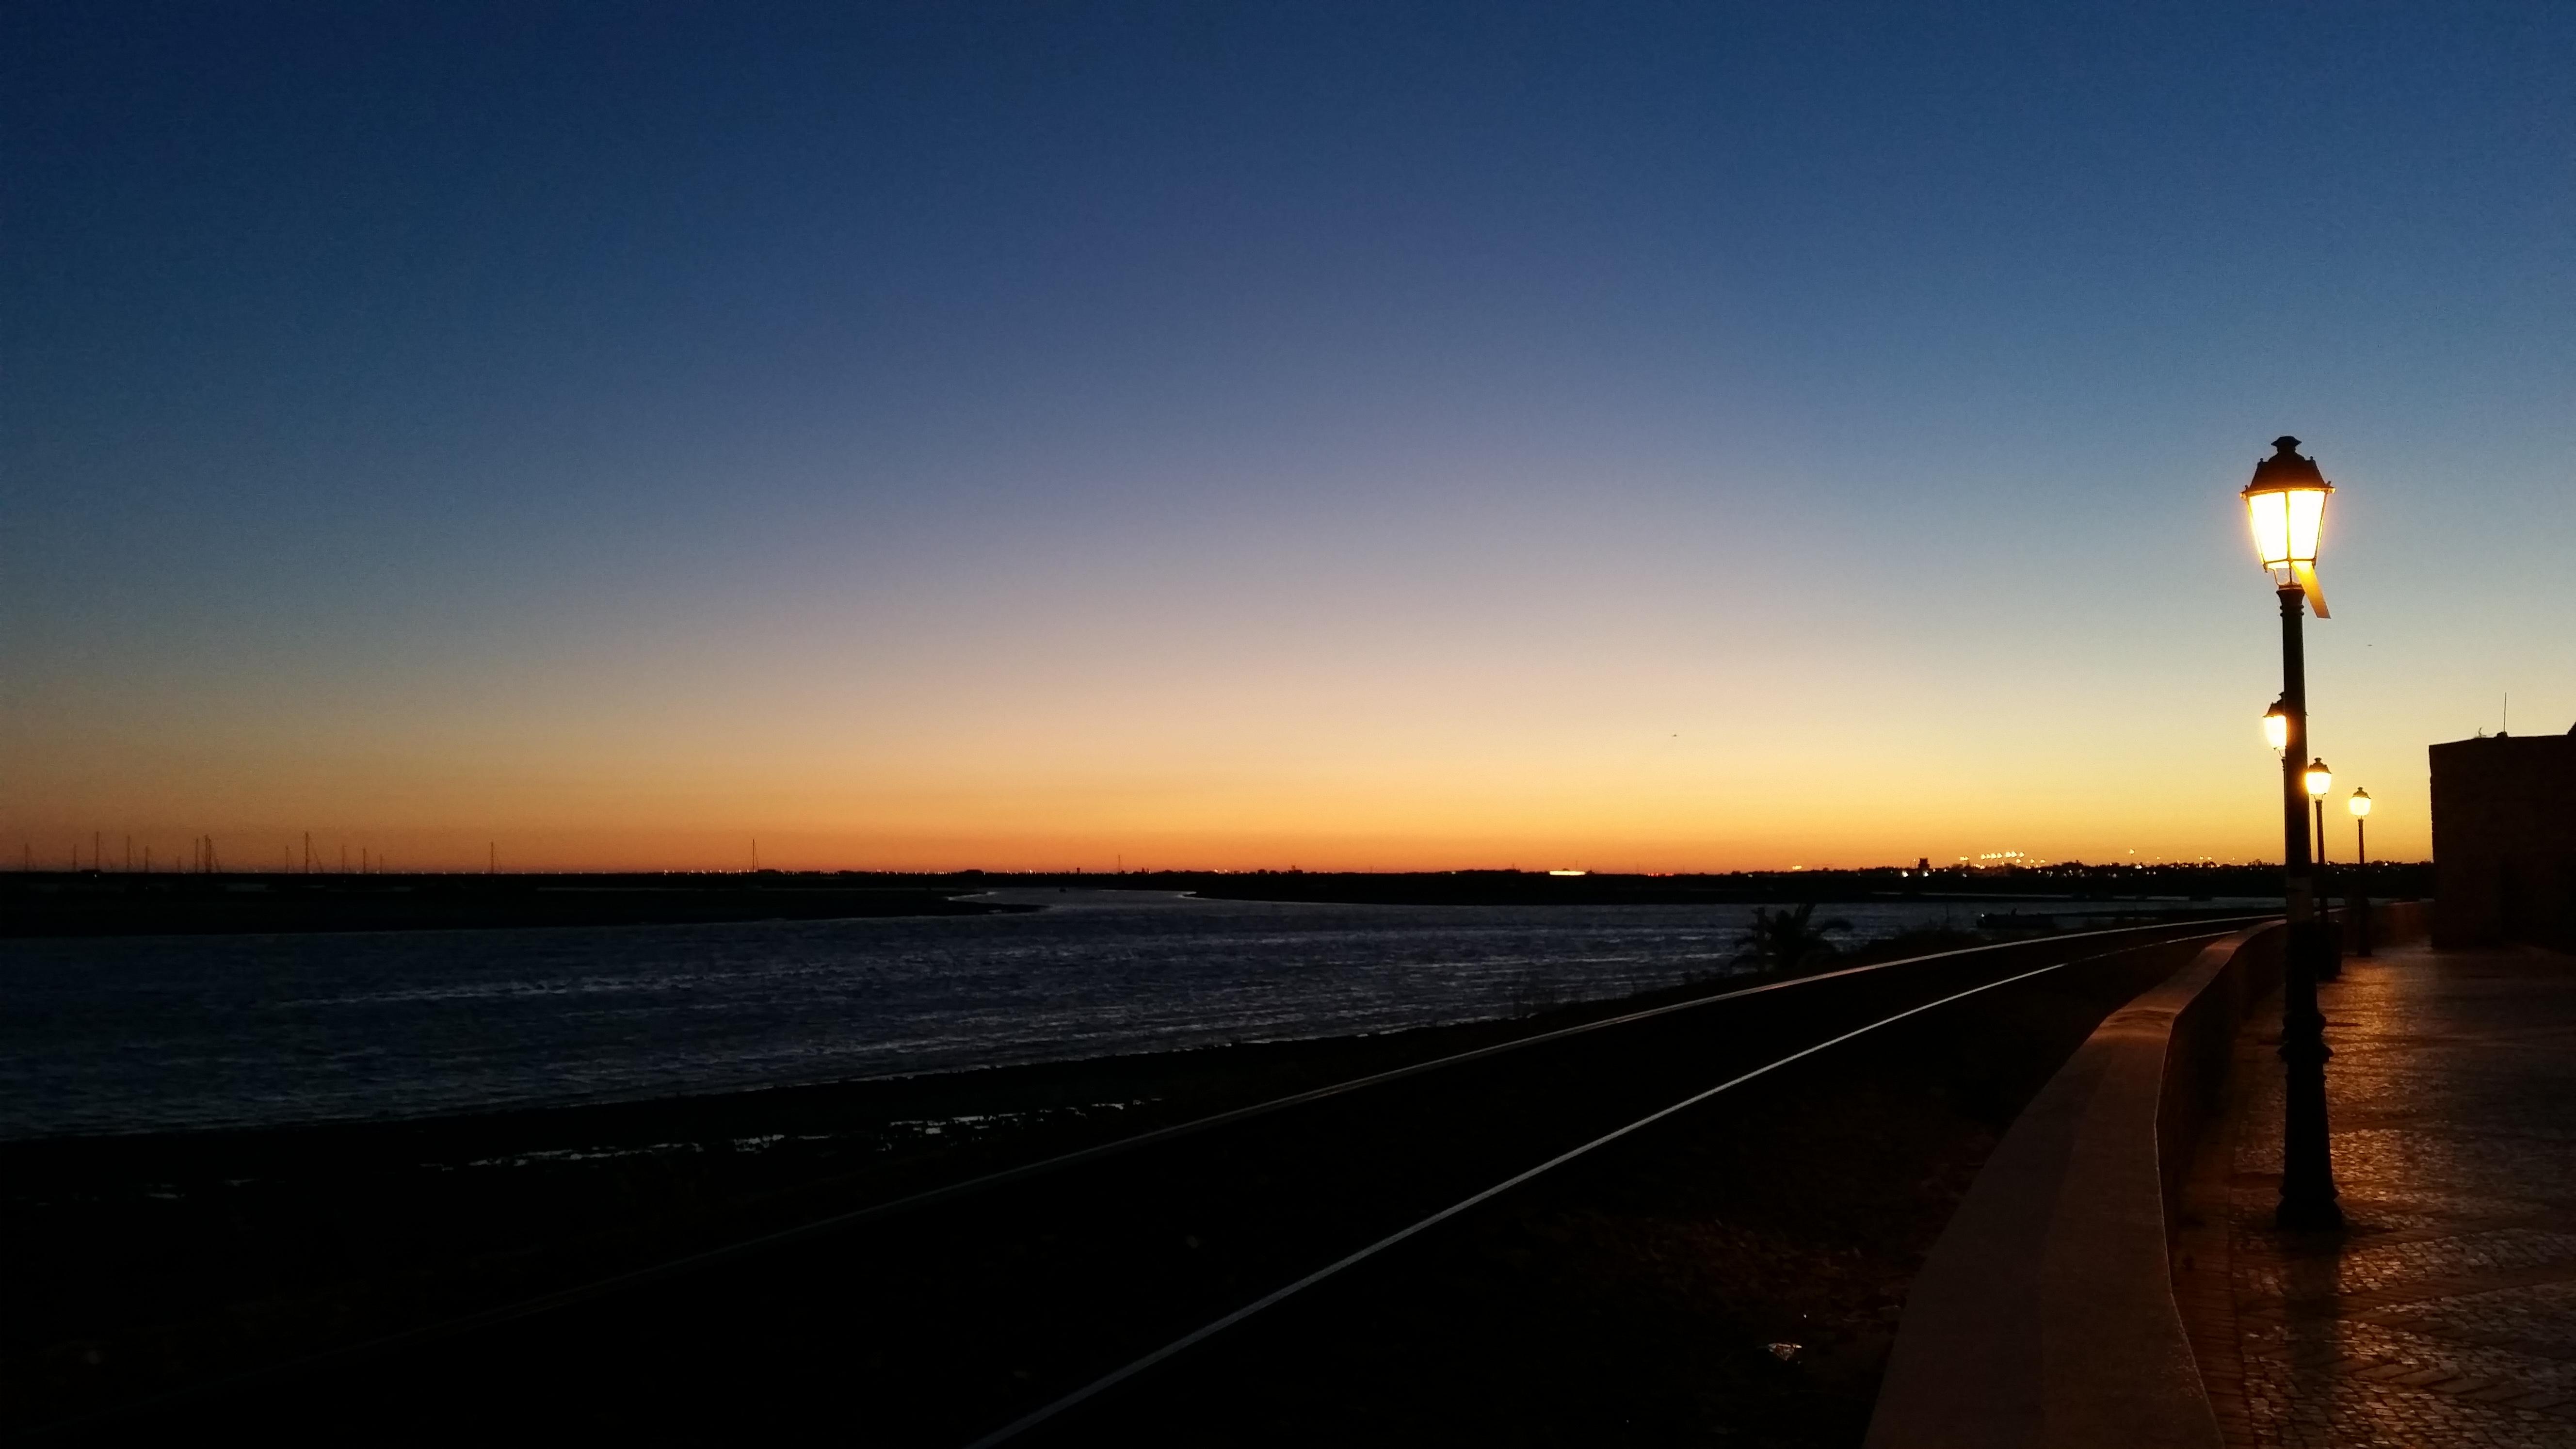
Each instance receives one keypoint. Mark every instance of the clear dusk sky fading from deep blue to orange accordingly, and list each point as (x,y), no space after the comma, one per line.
(1405,437)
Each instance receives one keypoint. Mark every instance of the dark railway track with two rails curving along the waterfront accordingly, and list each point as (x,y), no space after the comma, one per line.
(1032,1306)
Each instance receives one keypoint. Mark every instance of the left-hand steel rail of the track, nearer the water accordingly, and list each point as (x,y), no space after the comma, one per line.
(985,1182)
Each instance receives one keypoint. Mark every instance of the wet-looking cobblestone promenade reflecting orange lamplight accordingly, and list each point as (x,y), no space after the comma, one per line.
(2446,1314)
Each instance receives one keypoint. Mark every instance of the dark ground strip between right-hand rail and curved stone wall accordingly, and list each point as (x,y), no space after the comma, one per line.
(1732,1278)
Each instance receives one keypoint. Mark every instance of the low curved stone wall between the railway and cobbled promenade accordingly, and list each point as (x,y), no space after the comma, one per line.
(2047,1311)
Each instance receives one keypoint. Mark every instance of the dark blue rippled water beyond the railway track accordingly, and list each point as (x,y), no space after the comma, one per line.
(158,1033)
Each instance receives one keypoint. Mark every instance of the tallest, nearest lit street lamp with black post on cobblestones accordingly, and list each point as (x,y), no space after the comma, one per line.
(2286,504)
